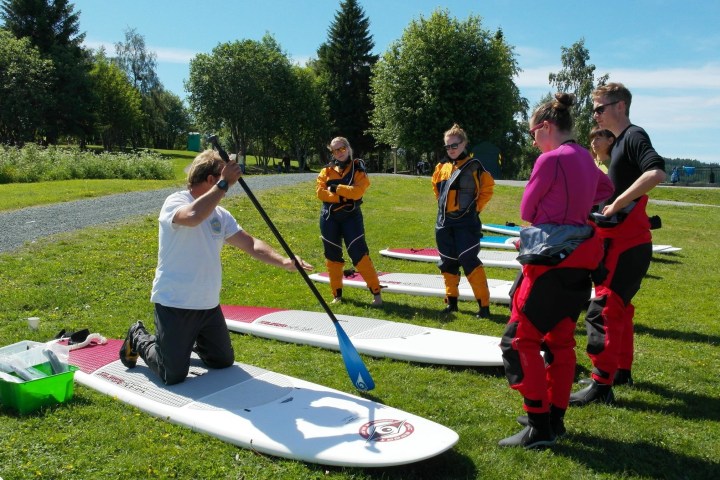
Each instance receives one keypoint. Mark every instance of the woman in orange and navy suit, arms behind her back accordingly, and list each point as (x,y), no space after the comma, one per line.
(462,188)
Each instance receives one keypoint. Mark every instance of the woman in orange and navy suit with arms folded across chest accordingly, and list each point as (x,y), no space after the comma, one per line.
(341,186)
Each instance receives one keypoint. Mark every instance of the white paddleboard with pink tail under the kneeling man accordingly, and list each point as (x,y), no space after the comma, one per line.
(269,412)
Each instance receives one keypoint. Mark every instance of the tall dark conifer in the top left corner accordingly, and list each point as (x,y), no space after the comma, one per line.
(53,27)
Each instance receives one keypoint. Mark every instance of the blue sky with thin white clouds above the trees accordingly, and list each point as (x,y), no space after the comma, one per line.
(667,52)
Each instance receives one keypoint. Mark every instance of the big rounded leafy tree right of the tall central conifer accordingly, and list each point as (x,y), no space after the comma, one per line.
(444,71)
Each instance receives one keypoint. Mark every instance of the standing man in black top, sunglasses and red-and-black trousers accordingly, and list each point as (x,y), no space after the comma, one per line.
(635,169)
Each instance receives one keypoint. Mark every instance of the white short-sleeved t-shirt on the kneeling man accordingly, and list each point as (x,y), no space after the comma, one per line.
(189,273)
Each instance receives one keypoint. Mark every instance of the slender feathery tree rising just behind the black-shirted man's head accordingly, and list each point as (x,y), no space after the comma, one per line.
(578,76)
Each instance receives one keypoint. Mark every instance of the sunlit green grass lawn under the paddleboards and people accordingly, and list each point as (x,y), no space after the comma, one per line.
(666,426)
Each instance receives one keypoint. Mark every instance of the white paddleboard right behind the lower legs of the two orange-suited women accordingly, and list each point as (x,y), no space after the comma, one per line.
(423,285)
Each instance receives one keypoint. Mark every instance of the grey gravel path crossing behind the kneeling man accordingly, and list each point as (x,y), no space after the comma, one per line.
(28,224)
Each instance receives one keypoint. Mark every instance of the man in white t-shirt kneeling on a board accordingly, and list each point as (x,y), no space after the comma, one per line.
(186,290)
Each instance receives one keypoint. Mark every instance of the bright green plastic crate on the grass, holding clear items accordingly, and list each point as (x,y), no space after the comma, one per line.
(32,395)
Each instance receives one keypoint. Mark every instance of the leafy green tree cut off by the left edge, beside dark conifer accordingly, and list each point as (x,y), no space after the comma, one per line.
(24,89)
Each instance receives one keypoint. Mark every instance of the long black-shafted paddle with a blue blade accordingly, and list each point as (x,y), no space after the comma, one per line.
(359,375)
